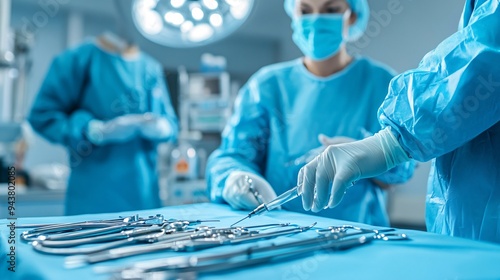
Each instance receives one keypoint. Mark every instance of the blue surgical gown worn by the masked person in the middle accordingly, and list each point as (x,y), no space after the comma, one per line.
(278,116)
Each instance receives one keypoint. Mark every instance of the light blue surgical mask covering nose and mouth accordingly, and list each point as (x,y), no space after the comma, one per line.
(319,36)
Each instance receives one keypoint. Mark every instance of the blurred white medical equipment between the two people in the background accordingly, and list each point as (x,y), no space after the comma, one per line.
(204,105)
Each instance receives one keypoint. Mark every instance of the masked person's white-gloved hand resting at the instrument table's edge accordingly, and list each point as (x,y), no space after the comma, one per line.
(236,190)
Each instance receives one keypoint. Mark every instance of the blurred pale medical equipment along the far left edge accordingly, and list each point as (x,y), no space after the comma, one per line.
(15,63)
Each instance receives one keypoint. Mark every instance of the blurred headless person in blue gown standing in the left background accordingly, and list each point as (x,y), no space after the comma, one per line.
(107,103)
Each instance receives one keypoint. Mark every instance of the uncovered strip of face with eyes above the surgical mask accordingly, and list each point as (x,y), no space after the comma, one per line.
(305,7)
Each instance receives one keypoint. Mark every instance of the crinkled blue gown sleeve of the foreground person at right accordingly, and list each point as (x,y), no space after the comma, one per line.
(454,94)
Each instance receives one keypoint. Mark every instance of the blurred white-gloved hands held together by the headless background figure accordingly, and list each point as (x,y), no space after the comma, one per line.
(118,130)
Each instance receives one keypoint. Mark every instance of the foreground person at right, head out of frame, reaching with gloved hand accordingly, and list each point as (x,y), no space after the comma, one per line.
(448,109)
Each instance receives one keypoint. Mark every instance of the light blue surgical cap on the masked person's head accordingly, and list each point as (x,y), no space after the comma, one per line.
(359,7)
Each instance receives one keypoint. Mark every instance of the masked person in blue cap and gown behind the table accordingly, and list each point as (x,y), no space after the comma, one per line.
(284,108)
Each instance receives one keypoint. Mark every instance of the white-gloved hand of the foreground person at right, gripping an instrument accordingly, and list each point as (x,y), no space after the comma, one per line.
(325,180)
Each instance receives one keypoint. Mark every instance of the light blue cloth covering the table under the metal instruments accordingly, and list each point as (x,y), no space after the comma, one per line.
(425,256)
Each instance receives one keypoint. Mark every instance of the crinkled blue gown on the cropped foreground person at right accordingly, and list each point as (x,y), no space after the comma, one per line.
(449,109)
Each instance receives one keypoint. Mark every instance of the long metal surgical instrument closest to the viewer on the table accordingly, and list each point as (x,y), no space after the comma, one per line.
(246,257)
